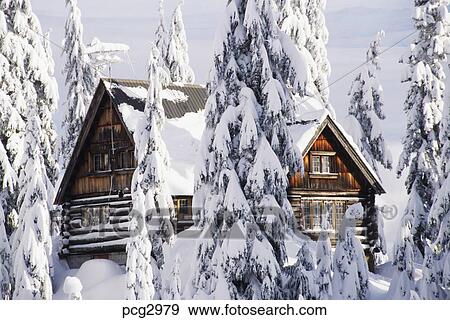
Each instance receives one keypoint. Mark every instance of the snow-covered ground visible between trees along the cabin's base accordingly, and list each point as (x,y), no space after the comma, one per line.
(105,280)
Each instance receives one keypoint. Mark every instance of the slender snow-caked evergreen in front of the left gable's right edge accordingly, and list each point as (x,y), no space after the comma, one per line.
(152,203)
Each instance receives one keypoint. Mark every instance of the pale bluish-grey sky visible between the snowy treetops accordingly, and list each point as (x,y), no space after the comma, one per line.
(352,25)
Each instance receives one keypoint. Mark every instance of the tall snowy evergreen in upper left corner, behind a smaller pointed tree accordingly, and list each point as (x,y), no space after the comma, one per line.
(32,81)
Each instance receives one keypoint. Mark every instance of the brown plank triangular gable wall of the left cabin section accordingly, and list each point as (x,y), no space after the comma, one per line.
(106,162)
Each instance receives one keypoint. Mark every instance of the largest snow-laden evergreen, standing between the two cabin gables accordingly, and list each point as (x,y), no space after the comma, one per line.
(246,154)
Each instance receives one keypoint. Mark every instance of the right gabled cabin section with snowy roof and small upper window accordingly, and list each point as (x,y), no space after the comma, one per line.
(336,175)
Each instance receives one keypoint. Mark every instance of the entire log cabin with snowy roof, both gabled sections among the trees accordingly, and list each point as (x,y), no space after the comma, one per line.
(95,190)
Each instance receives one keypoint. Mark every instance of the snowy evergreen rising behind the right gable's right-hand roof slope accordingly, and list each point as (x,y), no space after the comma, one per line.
(366,108)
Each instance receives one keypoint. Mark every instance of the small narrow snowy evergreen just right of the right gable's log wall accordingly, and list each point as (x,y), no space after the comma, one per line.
(403,277)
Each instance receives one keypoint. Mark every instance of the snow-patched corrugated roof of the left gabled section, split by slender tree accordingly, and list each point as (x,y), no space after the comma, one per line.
(183,106)
